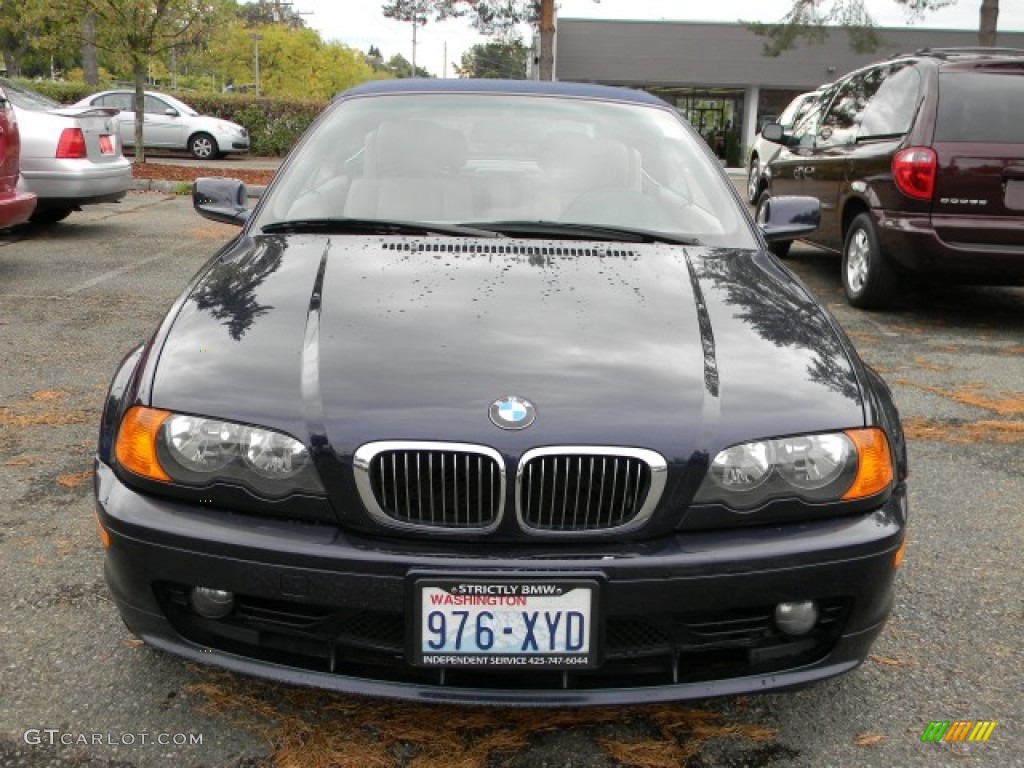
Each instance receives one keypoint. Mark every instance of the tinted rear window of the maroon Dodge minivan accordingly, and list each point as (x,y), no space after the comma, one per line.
(982,107)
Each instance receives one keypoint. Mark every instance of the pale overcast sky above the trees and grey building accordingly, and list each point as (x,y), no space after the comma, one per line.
(360,23)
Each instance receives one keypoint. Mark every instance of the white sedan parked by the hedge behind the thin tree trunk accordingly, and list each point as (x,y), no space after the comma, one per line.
(172,124)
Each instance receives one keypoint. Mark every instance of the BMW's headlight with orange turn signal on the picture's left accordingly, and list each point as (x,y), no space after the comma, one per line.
(196,451)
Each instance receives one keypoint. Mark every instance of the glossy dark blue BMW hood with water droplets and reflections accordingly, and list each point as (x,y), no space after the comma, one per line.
(355,339)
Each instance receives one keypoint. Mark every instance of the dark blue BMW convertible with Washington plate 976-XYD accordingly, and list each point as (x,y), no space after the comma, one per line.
(499,398)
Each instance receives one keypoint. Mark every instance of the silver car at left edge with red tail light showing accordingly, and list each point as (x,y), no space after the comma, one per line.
(71,156)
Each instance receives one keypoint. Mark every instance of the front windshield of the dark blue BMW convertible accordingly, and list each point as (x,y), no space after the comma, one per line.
(501,159)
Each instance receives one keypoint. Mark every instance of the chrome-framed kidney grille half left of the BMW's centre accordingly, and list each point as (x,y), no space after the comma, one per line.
(432,485)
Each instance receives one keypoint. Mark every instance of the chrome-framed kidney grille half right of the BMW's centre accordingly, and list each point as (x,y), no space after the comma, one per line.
(577,490)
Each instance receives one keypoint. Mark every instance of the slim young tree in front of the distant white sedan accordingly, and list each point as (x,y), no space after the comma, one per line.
(141,29)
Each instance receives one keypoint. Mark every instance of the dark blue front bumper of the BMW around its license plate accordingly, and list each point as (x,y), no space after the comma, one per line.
(685,617)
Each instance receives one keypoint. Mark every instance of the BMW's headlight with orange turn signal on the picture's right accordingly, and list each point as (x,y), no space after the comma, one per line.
(834,466)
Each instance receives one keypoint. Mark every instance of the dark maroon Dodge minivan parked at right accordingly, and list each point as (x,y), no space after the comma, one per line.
(919,164)
